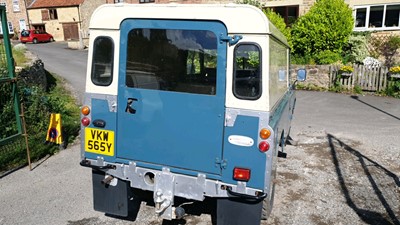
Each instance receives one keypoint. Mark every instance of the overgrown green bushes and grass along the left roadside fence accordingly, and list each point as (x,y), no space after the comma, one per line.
(42,94)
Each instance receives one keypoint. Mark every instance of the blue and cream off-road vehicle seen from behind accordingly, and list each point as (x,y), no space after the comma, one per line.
(186,105)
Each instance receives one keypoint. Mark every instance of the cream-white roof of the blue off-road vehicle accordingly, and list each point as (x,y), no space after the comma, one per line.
(238,18)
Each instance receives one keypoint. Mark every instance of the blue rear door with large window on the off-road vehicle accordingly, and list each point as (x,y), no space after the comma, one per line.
(171,94)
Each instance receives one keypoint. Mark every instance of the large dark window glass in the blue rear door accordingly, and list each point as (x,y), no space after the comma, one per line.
(172,60)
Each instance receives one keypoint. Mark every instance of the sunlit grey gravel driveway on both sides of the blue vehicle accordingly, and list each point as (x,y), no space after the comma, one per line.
(343,169)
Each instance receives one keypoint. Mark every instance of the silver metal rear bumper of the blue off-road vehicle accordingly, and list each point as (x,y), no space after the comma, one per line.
(189,187)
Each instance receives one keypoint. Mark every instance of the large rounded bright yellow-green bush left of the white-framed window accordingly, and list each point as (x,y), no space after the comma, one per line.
(326,27)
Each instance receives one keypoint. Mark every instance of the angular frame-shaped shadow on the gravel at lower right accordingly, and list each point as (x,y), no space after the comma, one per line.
(379,194)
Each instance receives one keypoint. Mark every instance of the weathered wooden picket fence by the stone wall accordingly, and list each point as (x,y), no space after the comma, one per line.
(368,79)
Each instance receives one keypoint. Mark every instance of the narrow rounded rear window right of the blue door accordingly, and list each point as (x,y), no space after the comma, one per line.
(247,72)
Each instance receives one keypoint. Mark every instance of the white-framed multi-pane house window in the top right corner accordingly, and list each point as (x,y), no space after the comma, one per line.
(377,17)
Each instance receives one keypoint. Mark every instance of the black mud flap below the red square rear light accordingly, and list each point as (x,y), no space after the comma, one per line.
(233,211)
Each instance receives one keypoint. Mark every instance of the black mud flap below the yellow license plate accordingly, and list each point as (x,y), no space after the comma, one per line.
(109,199)
